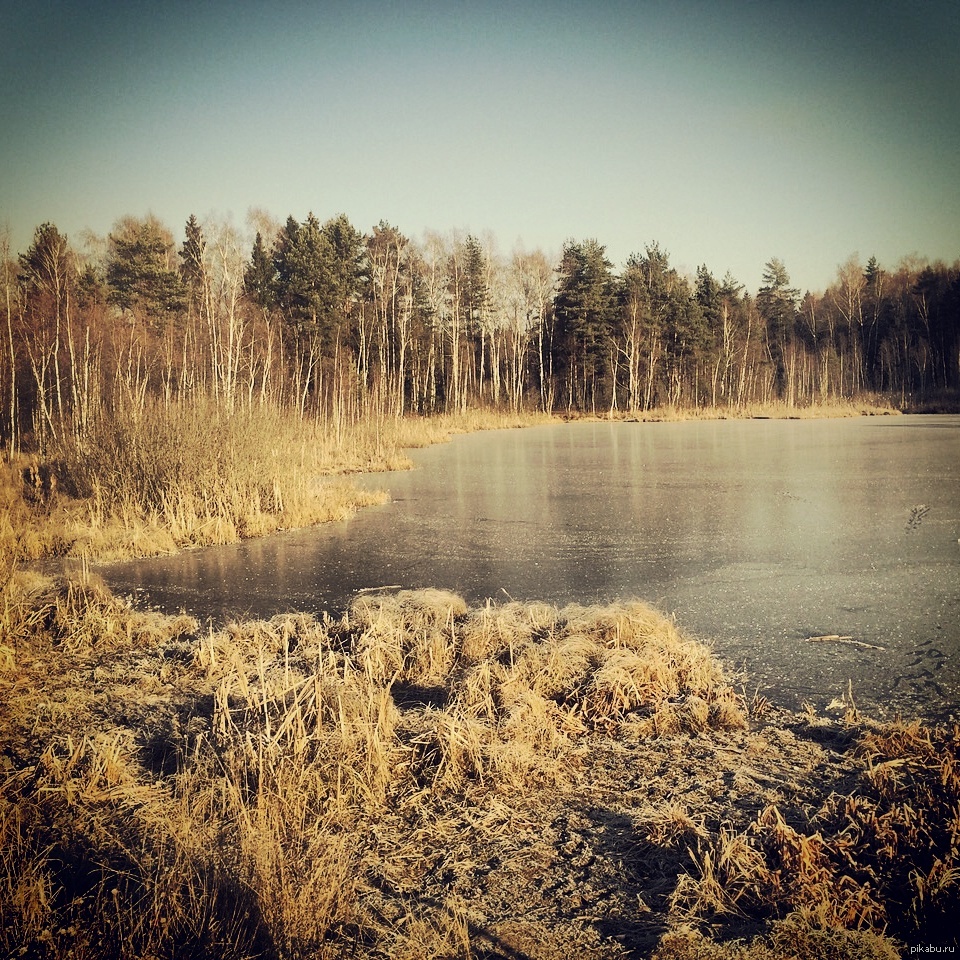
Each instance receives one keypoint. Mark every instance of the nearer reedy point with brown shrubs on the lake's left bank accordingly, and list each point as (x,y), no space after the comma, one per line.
(188,503)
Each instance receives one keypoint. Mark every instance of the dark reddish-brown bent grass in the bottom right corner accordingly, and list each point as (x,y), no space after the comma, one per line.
(884,857)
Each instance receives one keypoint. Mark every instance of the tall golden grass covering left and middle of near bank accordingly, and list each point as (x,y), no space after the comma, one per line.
(241,815)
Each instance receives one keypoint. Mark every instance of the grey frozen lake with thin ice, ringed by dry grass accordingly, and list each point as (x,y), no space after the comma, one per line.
(755,534)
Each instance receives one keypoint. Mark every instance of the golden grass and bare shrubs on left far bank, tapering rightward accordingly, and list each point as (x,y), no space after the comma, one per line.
(189,473)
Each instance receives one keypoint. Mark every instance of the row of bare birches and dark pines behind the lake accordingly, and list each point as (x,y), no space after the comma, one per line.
(330,322)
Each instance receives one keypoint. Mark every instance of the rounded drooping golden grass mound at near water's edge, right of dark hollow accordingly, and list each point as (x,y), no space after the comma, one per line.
(549,676)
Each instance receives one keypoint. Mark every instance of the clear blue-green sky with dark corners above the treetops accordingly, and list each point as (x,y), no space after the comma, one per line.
(729,132)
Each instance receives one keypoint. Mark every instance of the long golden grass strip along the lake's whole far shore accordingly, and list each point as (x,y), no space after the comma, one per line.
(48,524)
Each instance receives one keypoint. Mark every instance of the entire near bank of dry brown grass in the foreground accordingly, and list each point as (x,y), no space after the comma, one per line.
(423,779)
